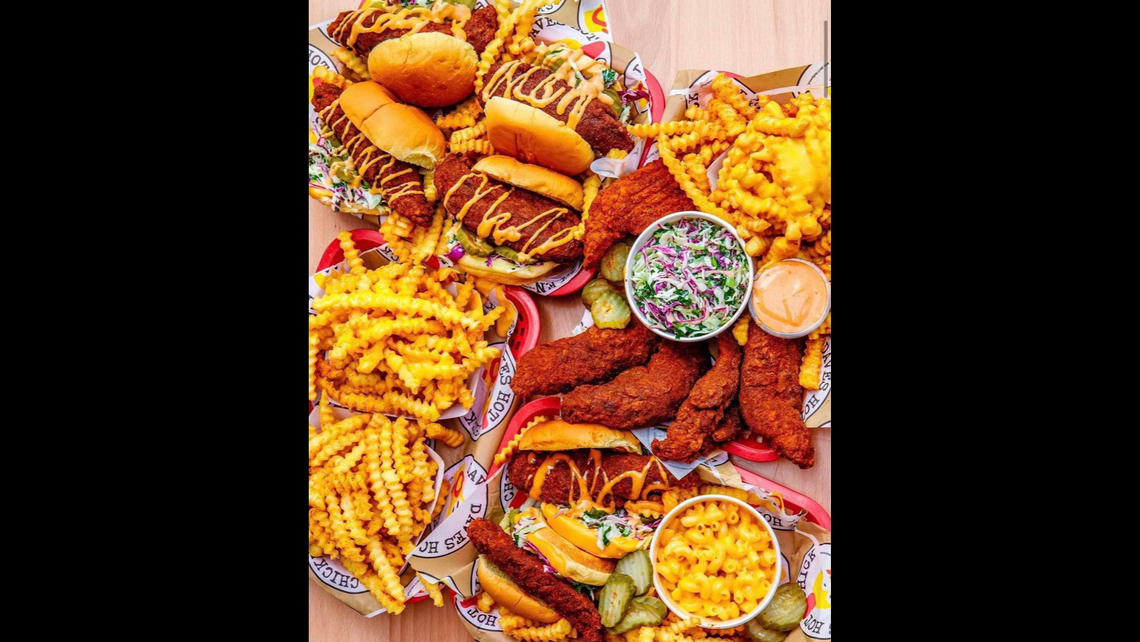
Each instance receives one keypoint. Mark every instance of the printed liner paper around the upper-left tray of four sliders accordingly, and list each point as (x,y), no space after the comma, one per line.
(580,23)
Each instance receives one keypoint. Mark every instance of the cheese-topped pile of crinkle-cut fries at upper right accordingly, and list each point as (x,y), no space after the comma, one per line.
(775,185)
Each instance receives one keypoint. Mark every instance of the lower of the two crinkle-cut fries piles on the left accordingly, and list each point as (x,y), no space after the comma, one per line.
(371,489)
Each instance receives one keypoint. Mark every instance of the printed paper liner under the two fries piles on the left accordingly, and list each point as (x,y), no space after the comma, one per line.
(465,468)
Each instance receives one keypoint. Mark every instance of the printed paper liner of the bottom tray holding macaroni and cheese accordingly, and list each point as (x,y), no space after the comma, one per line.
(447,555)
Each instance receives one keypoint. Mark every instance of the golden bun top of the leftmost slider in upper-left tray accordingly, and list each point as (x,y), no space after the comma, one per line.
(402,131)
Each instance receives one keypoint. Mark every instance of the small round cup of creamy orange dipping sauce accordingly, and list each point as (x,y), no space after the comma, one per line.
(791,297)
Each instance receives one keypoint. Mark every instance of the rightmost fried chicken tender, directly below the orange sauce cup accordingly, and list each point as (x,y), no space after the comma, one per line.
(771,397)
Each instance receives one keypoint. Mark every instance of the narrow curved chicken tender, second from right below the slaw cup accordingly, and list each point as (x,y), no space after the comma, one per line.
(701,416)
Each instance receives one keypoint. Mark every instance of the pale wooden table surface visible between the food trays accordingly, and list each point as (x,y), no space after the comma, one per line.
(747,37)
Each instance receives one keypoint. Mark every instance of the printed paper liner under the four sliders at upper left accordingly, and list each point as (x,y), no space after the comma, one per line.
(582,25)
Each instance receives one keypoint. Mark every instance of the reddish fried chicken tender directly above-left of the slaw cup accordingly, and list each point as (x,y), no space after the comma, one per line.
(630,206)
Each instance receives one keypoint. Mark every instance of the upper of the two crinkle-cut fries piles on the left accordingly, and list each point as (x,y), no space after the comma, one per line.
(395,340)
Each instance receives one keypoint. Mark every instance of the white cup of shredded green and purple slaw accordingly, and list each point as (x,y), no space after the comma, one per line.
(688,277)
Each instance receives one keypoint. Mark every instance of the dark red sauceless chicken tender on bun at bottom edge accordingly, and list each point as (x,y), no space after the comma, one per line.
(526,571)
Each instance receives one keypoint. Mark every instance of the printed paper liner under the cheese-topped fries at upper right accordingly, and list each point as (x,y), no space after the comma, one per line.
(695,87)
